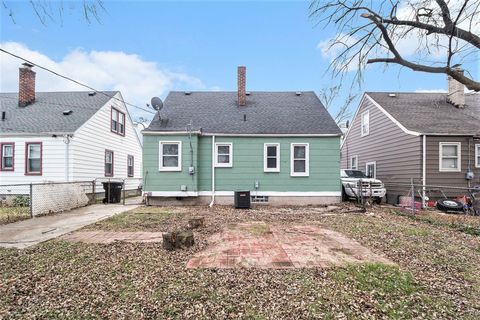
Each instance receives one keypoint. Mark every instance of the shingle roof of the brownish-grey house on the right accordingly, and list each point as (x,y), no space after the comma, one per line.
(431,113)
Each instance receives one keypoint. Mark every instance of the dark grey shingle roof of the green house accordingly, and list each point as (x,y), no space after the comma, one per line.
(266,113)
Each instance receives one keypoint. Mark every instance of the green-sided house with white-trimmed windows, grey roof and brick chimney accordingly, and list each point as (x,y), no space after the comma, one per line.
(201,147)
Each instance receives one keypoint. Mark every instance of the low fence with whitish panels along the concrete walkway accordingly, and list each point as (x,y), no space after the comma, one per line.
(29,200)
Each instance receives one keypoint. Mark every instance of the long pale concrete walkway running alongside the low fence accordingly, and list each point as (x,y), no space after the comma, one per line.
(29,232)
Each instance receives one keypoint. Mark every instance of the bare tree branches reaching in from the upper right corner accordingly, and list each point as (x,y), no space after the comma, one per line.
(444,32)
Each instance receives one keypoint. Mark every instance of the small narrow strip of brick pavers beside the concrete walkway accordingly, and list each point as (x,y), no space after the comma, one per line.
(111,236)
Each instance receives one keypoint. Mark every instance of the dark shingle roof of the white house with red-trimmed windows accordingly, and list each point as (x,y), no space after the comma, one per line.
(45,115)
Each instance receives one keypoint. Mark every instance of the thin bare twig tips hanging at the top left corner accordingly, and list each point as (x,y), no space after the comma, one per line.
(49,11)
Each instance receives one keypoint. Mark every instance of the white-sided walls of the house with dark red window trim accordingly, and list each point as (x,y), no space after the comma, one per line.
(77,155)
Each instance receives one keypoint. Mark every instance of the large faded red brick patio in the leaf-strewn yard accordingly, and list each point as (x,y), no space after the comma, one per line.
(256,244)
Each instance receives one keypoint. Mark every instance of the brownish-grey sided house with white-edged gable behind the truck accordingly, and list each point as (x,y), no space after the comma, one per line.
(432,138)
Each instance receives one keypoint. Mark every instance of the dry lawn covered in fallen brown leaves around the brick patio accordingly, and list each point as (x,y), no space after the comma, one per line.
(436,277)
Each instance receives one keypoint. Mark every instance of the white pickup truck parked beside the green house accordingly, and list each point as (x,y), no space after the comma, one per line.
(371,188)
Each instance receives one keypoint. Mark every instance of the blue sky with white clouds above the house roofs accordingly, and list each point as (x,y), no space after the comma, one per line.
(147,48)
